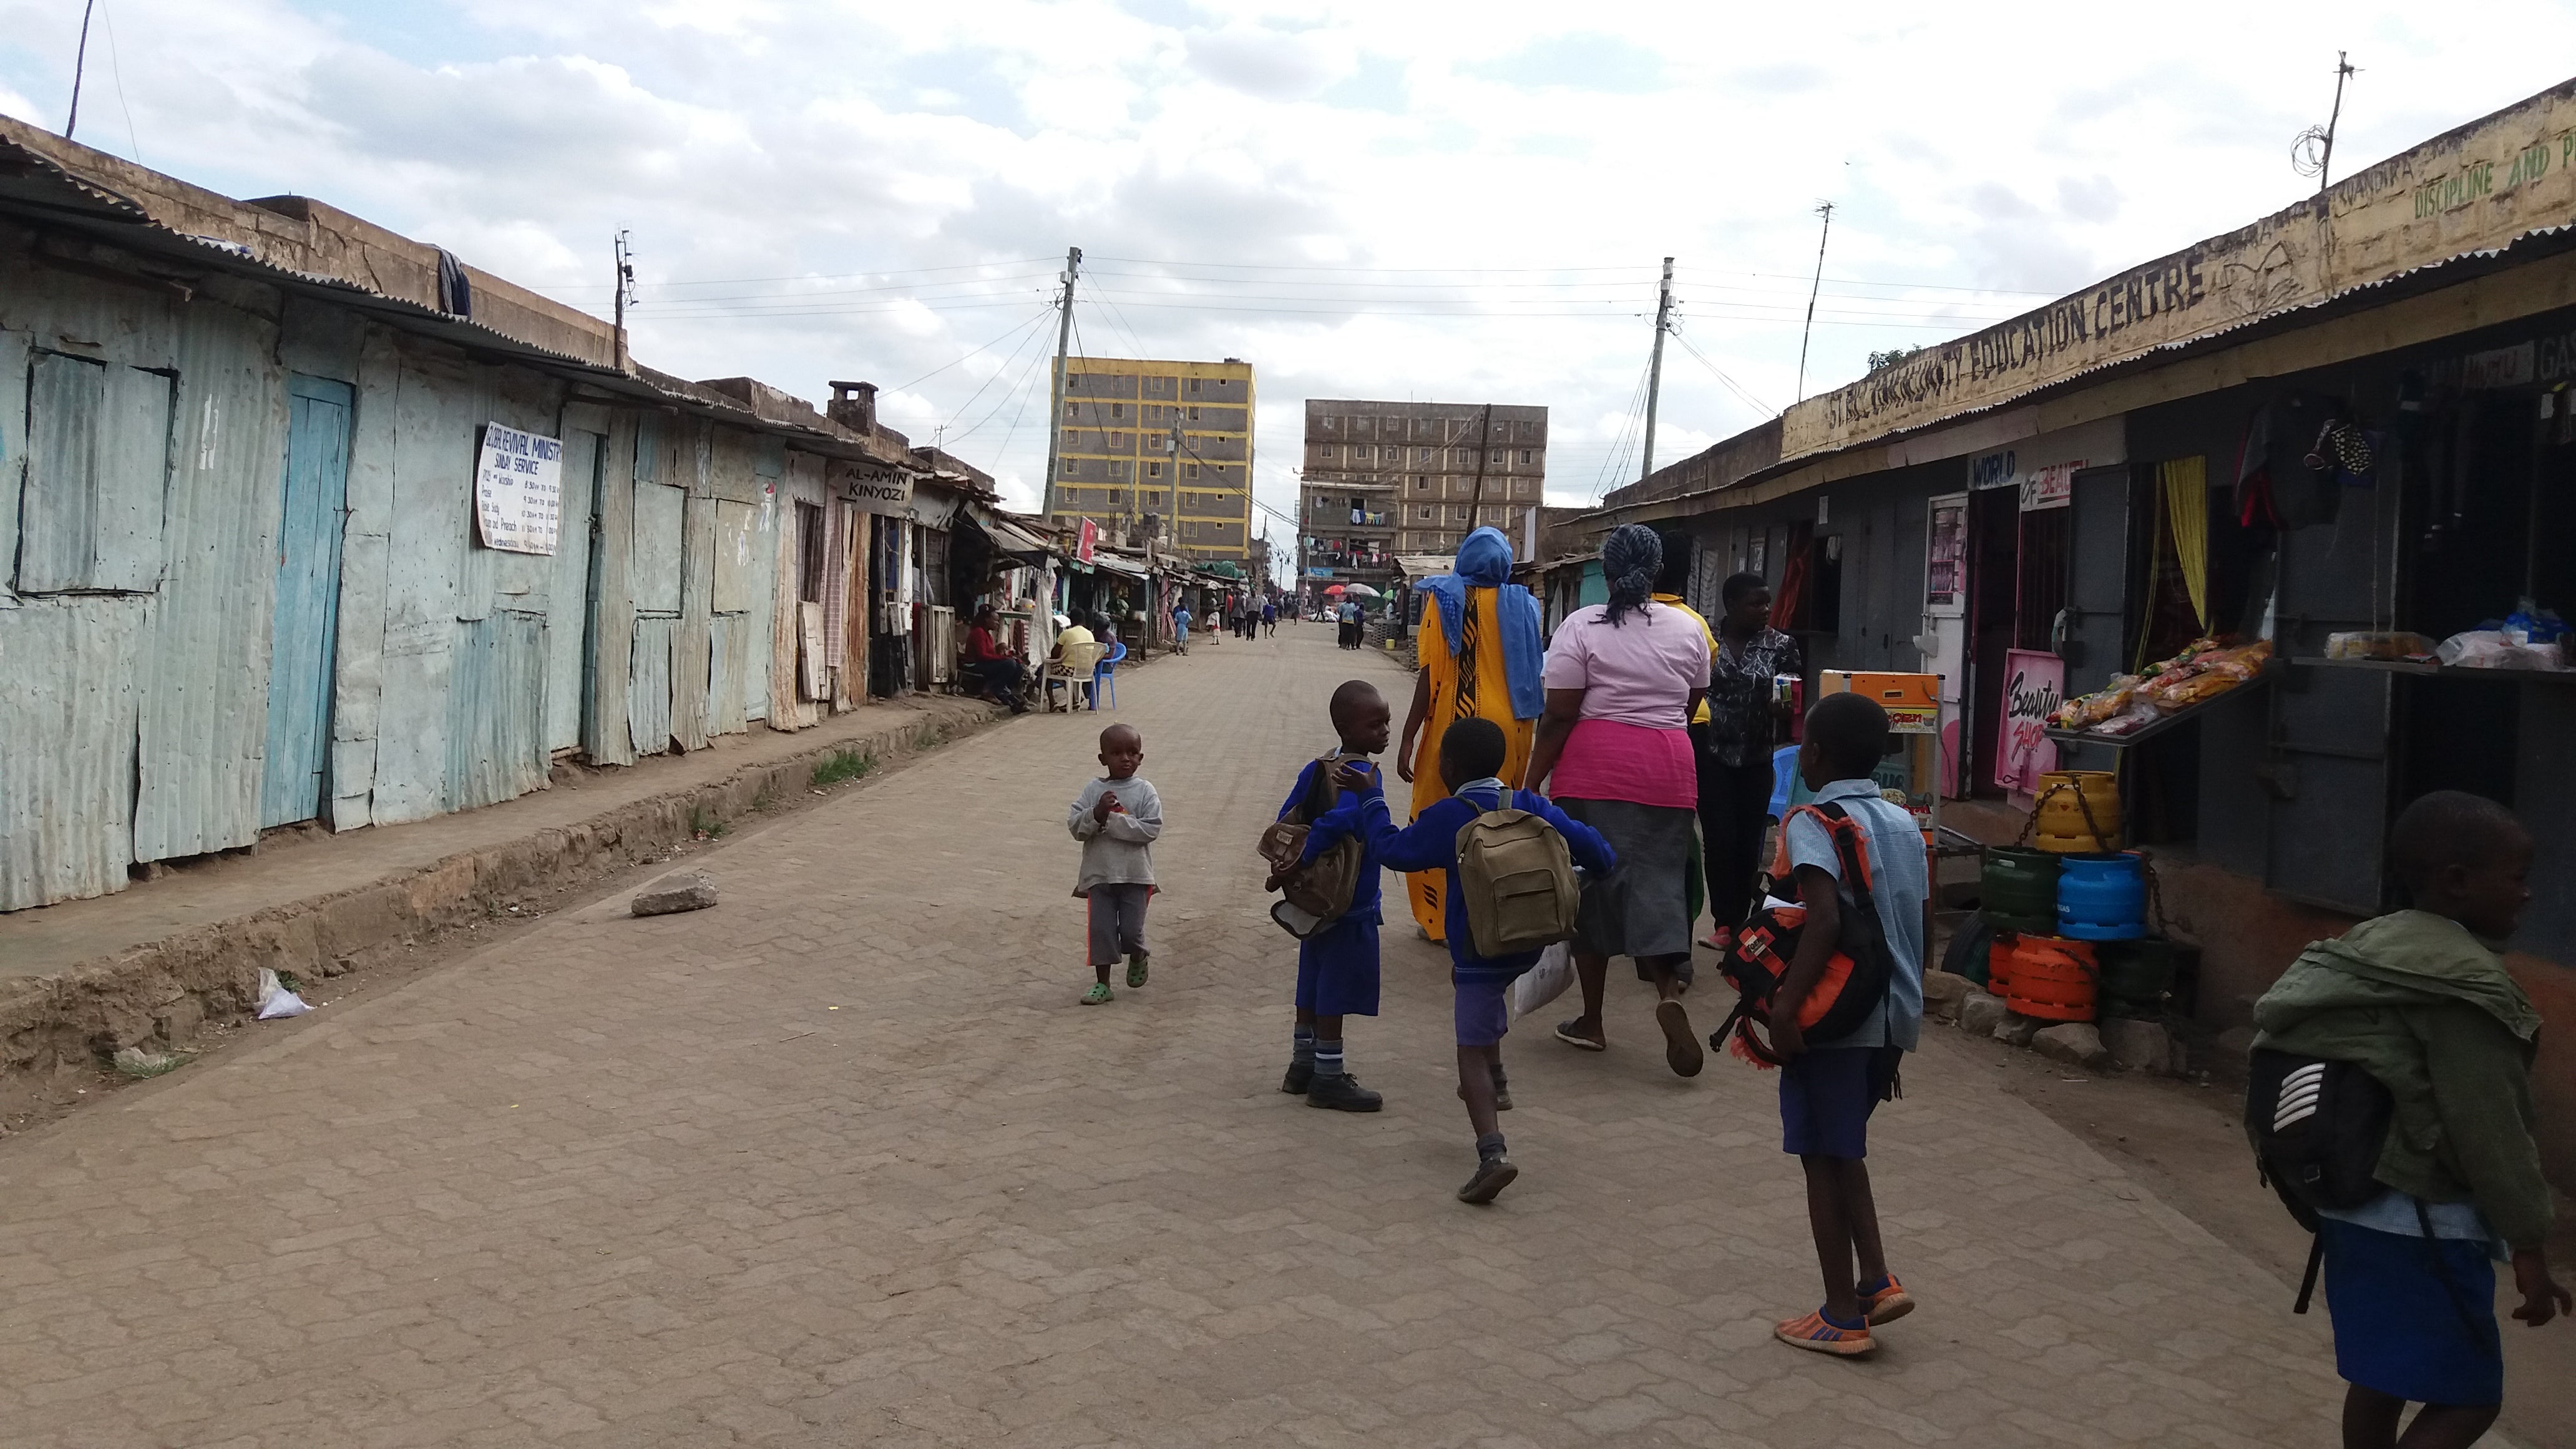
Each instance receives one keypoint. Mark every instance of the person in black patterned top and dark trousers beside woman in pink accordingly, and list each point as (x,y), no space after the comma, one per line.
(1738,746)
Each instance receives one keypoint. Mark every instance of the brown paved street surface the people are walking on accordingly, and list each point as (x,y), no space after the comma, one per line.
(841,1164)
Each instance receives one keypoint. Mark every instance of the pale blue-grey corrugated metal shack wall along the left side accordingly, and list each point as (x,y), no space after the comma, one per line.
(143,561)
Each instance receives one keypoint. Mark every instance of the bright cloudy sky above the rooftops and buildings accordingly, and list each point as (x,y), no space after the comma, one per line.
(1364,200)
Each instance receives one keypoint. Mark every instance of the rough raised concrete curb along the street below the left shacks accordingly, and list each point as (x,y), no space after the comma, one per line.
(164,991)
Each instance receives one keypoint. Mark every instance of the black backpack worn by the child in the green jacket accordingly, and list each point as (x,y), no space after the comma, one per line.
(2317,1131)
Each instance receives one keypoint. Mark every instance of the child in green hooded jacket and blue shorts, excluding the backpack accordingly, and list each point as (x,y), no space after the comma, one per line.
(2430,1012)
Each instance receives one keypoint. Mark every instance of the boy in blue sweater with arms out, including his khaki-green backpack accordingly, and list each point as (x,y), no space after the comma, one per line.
(1511,868)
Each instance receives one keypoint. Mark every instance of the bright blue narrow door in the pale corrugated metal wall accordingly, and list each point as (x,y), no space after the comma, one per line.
(308,612)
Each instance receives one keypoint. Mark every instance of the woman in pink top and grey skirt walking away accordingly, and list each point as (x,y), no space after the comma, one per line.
(1614,752)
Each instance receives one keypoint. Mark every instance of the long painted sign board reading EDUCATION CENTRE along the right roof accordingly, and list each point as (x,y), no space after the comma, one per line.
(2474,190)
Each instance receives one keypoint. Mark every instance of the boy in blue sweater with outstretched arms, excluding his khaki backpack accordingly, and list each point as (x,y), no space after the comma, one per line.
(1472,757)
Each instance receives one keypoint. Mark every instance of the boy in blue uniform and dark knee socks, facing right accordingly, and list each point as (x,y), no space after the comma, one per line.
(1338,966)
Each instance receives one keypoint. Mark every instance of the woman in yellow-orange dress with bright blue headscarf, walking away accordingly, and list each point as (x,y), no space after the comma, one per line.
(1482,656)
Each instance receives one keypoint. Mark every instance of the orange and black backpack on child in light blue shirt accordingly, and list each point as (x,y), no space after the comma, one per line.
(1856,976)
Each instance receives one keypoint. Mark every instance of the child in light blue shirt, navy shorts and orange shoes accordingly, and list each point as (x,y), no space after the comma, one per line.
(1830,1089)
